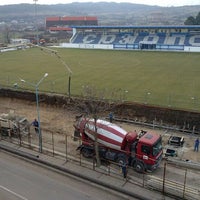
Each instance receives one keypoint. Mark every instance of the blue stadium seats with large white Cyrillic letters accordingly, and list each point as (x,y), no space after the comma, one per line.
(132,40)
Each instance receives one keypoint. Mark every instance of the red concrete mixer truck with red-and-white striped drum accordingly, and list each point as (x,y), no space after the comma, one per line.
(143,152)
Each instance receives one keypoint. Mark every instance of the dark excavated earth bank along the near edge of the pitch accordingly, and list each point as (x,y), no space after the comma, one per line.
(187,121)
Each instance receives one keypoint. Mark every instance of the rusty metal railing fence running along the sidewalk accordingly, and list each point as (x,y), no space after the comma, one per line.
(181,184)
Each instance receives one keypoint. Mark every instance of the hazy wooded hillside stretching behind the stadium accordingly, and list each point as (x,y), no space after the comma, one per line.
(107,13)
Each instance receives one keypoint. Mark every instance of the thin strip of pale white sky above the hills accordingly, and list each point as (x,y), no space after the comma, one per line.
(165,3)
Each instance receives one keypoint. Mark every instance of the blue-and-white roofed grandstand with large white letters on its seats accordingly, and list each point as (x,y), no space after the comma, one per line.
(139,37)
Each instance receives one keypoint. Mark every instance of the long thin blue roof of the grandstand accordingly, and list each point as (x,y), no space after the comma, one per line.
(140,27)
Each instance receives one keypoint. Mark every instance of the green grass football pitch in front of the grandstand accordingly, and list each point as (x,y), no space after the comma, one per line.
(169,79)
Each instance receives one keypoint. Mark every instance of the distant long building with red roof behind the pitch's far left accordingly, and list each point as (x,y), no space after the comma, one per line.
(56,24)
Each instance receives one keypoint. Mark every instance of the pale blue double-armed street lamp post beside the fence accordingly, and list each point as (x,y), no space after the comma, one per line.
(37,103)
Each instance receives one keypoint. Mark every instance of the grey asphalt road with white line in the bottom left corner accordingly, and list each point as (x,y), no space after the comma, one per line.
(21,180)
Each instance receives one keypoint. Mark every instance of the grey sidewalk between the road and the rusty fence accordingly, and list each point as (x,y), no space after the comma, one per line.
(97,176)
